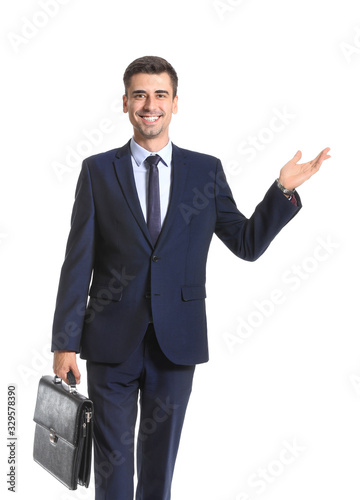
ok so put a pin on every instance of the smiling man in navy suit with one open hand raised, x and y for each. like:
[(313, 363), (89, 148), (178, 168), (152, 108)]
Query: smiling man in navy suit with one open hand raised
[(142, 222)]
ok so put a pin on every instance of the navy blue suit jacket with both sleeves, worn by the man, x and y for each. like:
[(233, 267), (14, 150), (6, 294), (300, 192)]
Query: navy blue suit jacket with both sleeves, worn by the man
[(110, 257)]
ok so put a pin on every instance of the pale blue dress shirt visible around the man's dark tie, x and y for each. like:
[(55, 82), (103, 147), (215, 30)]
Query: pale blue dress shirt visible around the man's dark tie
[(141, 175)]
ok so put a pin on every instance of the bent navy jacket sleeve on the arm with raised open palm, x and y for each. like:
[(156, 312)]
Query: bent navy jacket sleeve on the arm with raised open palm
[(249, 238)]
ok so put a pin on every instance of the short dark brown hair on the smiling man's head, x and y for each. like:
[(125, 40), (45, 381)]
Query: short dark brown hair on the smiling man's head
[(151, 65)]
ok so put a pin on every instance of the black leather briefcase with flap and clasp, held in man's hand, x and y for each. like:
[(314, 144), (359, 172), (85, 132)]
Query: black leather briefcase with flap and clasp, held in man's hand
[(63, 432)]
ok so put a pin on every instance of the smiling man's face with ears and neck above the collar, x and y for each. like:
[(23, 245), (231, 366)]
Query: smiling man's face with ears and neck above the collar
[(150, 104)]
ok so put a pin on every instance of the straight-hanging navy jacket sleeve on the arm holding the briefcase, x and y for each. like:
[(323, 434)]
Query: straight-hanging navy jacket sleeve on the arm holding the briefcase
[(76, 270)]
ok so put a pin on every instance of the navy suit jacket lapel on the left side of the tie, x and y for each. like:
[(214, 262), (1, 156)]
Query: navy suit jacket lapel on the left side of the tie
[(124, 172)]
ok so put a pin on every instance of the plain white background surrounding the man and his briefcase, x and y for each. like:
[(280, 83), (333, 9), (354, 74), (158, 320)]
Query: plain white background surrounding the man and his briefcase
[(295, 379)]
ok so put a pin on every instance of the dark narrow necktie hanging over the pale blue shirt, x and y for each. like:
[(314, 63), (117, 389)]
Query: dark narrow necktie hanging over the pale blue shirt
[(153, 204)]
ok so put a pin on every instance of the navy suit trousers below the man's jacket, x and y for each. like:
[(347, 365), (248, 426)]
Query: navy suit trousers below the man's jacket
[(163, 390)]
